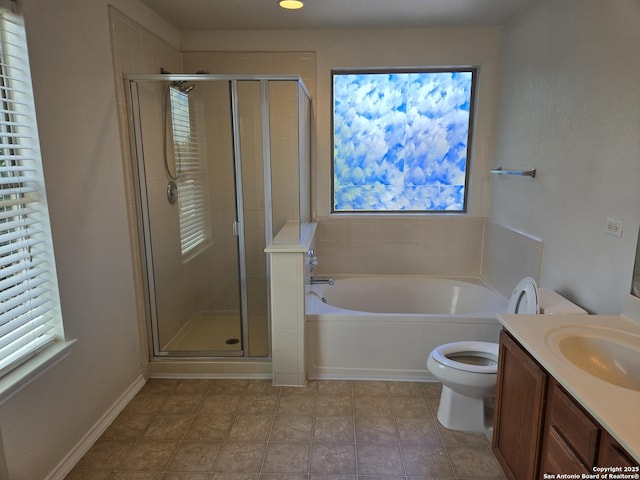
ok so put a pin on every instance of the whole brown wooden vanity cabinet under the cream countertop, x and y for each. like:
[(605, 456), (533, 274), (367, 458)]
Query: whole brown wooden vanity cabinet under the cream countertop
[(539, 428)]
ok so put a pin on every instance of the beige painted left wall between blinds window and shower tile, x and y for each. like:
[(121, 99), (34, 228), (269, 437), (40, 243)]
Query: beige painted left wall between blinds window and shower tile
[(76, 107)]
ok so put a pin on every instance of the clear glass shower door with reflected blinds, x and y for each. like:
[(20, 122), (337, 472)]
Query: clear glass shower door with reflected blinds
[(186, 169)]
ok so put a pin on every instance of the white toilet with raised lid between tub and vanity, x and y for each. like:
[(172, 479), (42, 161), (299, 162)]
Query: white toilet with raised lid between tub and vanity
[(468, 370)]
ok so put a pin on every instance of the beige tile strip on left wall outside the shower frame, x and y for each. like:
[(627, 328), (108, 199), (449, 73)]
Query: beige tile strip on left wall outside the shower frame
[(136, 50)]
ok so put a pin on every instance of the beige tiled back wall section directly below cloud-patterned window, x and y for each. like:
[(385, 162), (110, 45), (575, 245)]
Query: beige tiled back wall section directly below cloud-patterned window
[(450, 246)]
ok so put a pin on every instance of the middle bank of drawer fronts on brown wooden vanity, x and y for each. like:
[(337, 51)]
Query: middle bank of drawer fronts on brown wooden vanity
[(570, 438)]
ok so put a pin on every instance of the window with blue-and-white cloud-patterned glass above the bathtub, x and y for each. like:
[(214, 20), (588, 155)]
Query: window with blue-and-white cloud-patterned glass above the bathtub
[(401, 140)]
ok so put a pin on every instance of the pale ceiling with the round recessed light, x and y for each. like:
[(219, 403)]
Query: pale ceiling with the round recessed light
[(265, 14)]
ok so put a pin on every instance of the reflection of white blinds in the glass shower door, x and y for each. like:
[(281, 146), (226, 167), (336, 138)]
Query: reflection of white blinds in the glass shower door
[(188, 144)]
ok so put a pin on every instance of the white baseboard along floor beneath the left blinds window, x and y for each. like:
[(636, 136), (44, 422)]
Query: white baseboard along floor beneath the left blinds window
[(74, 456)]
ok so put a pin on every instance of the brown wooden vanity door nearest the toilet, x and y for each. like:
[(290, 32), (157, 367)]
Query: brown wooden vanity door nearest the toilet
[(518, 421)]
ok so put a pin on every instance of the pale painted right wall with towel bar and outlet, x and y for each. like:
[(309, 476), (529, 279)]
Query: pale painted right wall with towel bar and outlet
[(569, 97)]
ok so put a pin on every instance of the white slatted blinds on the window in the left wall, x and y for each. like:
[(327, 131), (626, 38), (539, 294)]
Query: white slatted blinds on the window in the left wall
[(30, 318)]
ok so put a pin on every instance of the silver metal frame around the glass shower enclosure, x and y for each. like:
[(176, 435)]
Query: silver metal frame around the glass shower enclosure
[(137, 150)]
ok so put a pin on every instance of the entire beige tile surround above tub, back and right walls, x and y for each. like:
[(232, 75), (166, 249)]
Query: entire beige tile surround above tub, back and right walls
[(439, 245)]
